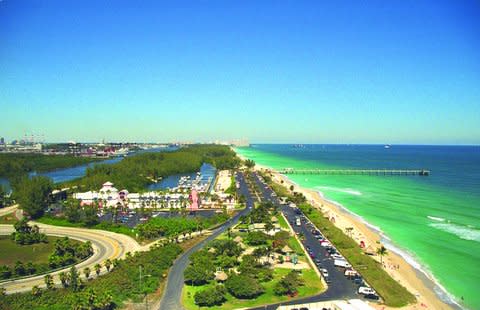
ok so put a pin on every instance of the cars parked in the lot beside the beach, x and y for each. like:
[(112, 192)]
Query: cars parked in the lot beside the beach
[(340, 262)]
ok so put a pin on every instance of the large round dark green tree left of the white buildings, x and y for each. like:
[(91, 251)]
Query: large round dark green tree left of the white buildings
[(33, 195)]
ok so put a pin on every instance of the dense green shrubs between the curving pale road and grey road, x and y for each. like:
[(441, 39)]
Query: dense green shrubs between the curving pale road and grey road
[(106, 292)]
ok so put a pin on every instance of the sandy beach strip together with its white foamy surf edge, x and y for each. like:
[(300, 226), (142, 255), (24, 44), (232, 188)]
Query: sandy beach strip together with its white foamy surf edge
[(404, 270)]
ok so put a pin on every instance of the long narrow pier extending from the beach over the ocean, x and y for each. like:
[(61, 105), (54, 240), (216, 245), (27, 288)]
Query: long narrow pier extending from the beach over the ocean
[(421, 172)]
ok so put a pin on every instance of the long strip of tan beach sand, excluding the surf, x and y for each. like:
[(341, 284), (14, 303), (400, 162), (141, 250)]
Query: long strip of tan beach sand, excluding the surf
[(400, 270)]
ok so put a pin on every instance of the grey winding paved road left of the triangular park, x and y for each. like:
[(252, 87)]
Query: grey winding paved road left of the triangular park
[(171, 299)]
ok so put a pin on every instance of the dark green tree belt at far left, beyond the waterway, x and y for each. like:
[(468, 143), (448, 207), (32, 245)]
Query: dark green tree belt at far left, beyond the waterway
[(14, 165)]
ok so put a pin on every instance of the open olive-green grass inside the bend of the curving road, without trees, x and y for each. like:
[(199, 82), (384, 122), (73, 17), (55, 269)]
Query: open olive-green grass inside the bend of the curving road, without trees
[(35, 253)]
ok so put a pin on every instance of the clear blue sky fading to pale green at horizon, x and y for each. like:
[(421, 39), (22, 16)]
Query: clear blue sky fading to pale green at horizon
[(270, 71)]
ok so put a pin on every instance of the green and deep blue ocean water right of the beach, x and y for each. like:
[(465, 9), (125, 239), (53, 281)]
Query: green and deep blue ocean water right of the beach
[(433, 221)]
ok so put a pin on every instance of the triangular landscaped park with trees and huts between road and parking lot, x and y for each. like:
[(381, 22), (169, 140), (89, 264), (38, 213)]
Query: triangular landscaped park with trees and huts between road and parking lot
[(246, 267)]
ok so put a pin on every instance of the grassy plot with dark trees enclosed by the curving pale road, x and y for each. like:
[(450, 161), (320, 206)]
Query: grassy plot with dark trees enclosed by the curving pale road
[(20, 260)]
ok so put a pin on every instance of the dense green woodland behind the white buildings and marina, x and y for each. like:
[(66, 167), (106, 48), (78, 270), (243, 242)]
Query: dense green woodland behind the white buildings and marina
[(136, 172)]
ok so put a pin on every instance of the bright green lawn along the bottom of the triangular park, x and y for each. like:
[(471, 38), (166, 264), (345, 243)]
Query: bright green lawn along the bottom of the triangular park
[(312, 286)]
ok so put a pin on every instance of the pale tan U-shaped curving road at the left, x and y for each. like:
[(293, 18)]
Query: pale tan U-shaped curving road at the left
[(106, 245)]
